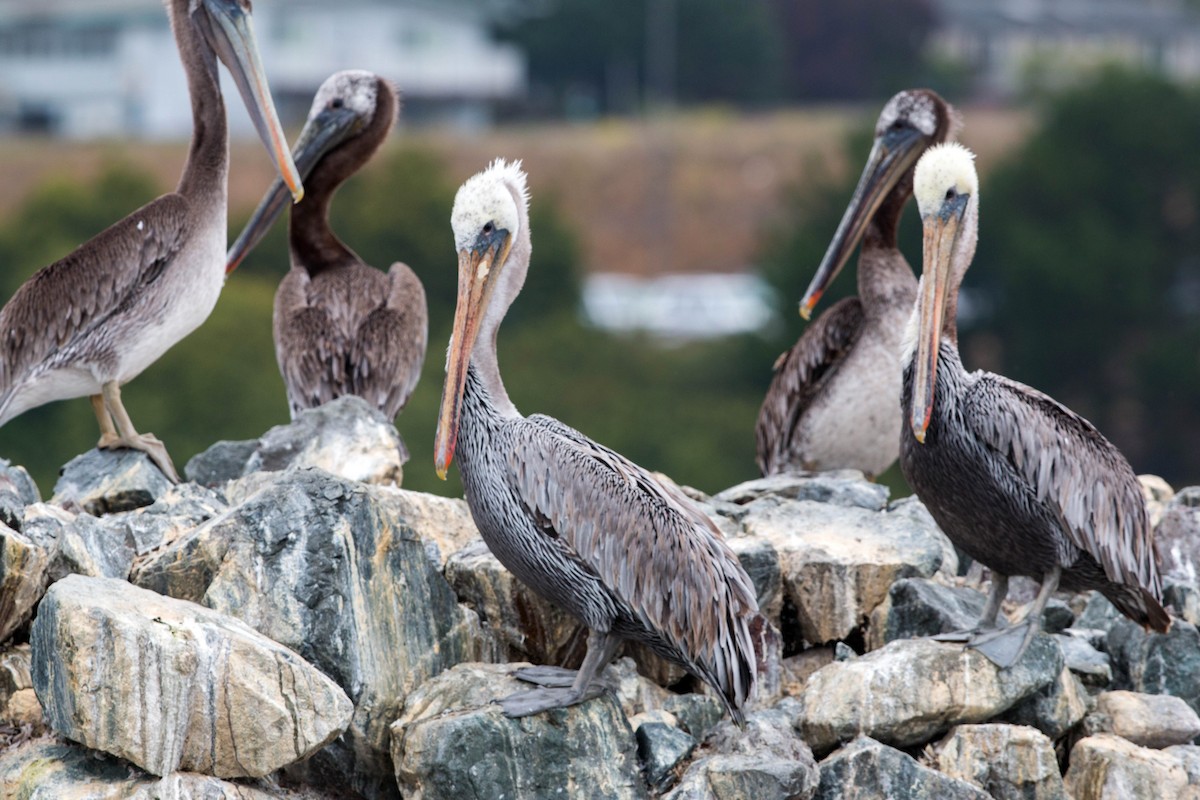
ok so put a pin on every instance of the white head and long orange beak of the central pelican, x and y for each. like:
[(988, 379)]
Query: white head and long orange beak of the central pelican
[(490, 215)]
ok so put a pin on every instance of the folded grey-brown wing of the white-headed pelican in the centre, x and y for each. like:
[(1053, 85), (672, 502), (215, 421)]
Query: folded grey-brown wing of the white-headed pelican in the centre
[(646, 543)]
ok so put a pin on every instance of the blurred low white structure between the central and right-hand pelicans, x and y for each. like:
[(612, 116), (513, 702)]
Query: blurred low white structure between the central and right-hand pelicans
[(680, 306)]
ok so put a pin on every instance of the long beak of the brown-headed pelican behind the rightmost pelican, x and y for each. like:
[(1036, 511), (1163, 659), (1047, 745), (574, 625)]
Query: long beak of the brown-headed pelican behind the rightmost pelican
[(892, 157)]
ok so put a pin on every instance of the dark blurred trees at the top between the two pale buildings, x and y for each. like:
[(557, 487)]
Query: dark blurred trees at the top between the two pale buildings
[(589, 58)]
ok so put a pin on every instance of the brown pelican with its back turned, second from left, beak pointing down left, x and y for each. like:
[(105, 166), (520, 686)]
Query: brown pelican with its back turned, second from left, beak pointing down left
[(341, 327)]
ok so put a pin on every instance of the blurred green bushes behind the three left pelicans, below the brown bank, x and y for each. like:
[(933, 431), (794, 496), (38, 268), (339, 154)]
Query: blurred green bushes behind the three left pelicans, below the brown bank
[(687, 411)]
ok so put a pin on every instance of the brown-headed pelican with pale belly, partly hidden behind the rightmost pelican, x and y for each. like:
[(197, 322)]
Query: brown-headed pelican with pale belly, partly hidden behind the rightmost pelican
[(832, 404)]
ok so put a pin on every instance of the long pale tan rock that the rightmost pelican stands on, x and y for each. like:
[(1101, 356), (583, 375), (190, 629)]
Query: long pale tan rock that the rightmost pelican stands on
[(913, 690)]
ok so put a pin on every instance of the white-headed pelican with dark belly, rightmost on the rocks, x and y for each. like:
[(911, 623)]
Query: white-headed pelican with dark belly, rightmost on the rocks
[(1017, 480)]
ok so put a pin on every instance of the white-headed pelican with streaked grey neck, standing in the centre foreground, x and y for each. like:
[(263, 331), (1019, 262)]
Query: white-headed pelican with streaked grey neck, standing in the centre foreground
[(579, 524)]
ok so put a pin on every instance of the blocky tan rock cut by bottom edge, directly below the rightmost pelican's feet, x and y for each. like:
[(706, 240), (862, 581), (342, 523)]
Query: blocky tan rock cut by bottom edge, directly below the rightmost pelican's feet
[(1006, 761)]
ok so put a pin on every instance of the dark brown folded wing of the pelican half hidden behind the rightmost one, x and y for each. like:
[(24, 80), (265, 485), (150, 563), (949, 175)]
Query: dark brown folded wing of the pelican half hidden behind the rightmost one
[(800, 376)]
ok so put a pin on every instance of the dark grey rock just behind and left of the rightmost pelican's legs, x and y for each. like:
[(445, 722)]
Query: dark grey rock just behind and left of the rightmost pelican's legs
[(919, 607)]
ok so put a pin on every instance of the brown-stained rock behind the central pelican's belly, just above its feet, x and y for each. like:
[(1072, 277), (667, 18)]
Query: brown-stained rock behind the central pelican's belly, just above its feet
[(527, 627)]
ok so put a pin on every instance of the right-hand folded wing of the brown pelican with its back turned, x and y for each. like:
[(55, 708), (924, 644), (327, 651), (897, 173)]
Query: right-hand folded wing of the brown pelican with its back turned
[(389, 348)]
